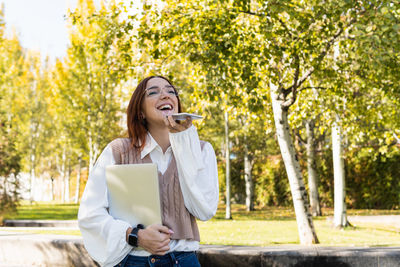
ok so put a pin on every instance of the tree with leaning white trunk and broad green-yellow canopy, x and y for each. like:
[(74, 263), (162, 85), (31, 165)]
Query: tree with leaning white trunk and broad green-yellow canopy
[(286, 42)]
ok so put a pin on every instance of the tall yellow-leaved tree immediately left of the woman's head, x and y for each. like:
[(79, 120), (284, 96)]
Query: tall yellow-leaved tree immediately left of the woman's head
[(90, 80)]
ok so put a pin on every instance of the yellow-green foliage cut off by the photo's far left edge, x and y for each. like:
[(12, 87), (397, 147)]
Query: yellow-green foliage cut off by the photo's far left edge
[(10, 154)]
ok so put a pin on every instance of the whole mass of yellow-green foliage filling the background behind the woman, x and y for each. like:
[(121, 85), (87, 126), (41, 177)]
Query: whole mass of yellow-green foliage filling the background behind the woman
[(221, 55)]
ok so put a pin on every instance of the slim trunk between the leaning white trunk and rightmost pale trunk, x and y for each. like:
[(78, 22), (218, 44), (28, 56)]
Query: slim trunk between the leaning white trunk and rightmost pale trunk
[(311, 167)]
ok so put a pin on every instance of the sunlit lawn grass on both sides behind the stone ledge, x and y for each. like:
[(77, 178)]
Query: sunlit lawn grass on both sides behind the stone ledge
[(264, 227)]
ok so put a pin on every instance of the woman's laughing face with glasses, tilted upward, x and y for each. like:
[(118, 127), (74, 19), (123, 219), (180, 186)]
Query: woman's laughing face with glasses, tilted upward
[(160, 100)]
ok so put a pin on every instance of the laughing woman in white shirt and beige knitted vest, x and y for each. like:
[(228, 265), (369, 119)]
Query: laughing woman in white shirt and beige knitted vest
[(188, 164)]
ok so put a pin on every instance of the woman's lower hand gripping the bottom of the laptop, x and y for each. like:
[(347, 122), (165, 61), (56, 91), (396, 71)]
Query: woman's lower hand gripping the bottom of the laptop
[(155, 239)]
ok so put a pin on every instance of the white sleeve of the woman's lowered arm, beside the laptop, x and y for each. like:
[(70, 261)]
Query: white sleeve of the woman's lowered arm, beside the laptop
[(104, 237)]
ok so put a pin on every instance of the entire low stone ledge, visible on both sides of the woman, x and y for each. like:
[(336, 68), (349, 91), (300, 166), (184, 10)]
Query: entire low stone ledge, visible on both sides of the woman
[(19, 249)]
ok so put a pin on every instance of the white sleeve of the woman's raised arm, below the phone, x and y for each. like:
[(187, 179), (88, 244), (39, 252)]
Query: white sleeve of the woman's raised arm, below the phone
[(198, 173)]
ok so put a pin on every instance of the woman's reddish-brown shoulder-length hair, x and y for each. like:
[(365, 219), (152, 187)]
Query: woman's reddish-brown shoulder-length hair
[(137, 125)]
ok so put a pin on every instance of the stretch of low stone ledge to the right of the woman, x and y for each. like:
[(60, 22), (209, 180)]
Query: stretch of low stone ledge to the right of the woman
[(293, 256)]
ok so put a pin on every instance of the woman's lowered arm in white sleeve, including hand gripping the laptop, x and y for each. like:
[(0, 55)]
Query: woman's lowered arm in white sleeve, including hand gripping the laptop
[(105, 238)]
